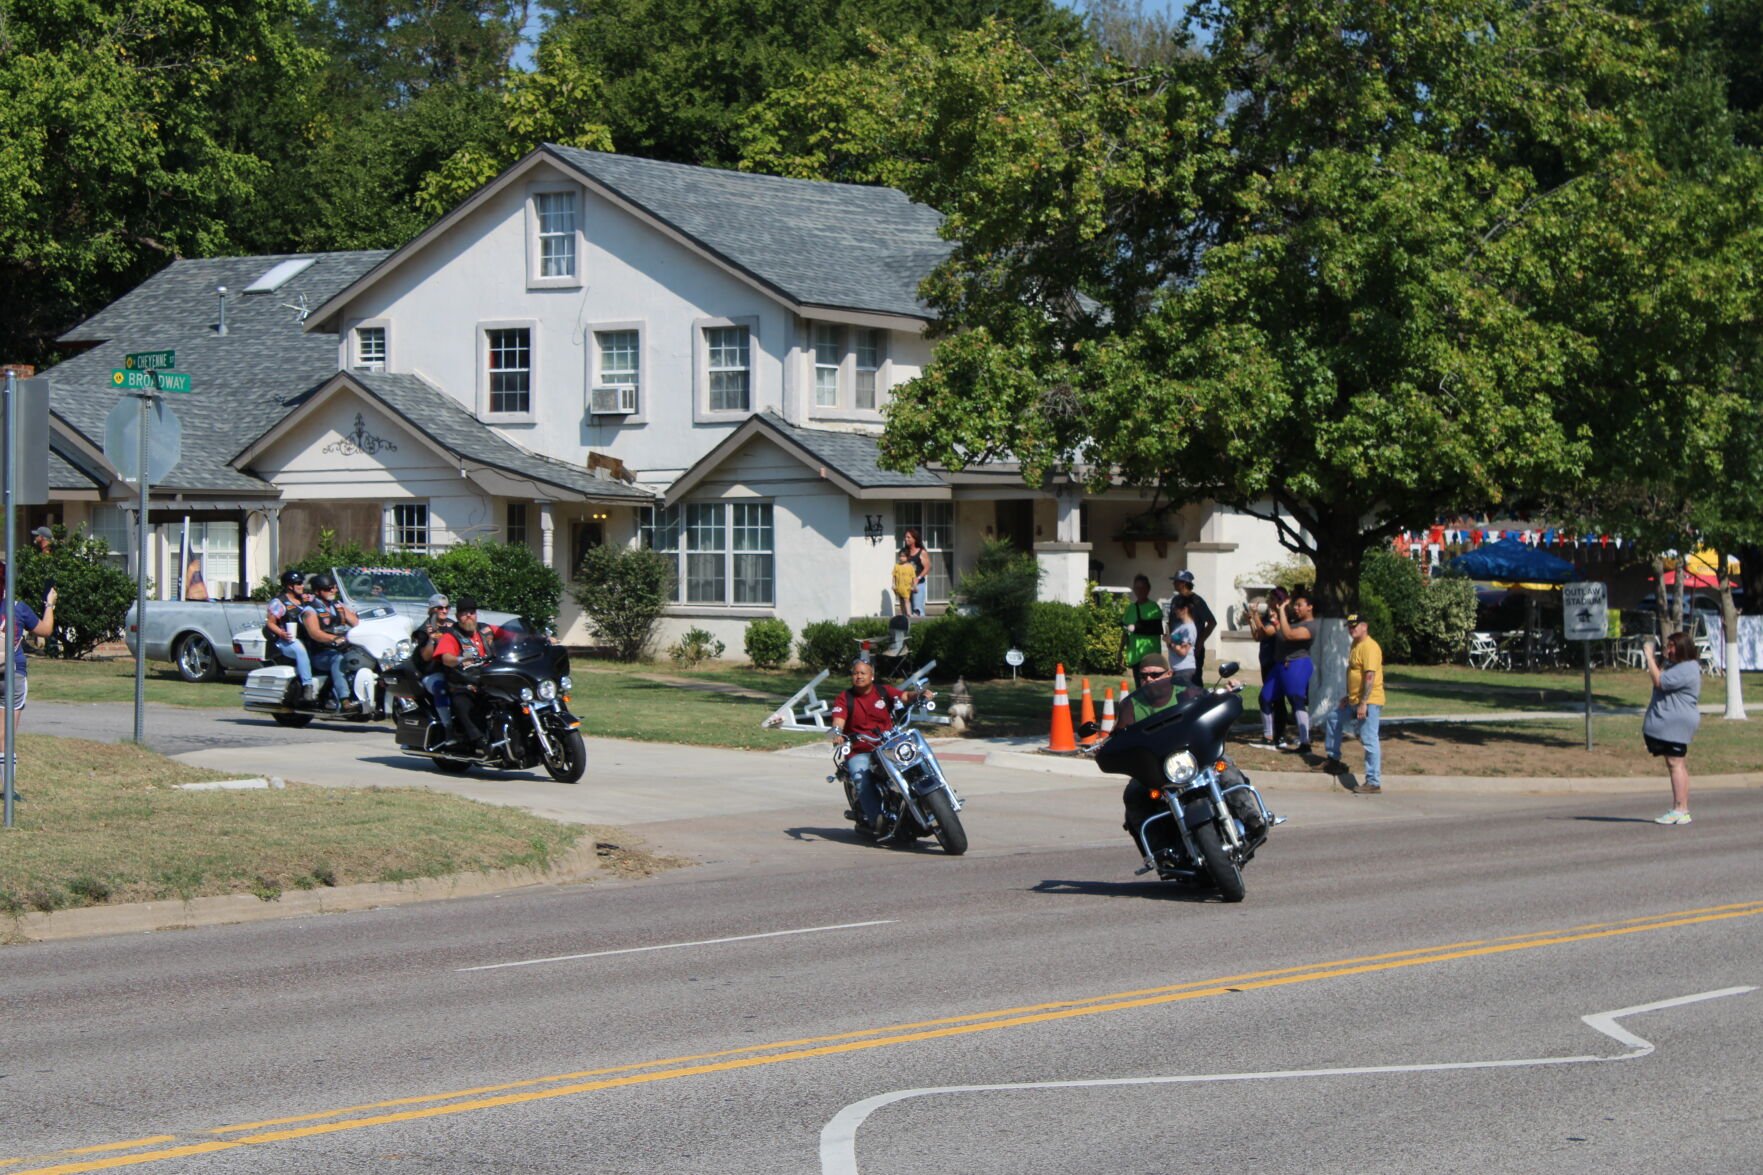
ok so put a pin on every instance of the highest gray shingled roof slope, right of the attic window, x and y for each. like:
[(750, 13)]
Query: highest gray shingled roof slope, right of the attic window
[(819, 244)]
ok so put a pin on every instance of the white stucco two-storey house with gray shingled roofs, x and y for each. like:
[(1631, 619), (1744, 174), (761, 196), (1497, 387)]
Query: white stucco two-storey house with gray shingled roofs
[(597, 348)]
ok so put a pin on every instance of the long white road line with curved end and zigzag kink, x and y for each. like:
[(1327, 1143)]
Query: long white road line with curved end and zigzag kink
[(838, 1139)]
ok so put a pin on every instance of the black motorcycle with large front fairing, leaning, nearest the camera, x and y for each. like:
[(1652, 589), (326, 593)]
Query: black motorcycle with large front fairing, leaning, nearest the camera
[(1212, 818)]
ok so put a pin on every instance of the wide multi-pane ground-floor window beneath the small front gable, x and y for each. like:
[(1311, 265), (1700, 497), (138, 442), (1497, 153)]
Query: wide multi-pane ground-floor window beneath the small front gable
[(724, 553)]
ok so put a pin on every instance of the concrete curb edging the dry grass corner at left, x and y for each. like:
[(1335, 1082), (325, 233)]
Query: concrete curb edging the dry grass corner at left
[(242, 908)]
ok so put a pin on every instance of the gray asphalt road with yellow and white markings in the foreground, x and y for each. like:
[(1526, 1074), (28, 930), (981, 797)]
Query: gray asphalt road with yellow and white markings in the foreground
[(1406, 989)]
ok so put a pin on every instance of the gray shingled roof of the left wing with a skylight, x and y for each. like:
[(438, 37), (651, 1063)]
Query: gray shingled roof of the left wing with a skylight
[(242, 382)]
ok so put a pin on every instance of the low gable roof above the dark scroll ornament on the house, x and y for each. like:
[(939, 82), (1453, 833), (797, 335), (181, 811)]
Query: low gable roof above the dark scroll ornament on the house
[(429, 412)]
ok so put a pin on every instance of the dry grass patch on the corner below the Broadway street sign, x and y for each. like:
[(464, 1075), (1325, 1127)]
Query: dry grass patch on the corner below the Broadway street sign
[(105, 823)]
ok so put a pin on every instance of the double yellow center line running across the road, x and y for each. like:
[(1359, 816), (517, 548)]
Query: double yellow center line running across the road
[(810, 1049)]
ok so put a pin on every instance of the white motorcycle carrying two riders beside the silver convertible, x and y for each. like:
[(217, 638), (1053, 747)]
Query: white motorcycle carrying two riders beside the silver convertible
[(382, 636)]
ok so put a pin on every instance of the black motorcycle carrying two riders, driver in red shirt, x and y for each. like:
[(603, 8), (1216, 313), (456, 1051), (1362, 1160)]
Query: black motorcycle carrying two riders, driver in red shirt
[(523, 707)]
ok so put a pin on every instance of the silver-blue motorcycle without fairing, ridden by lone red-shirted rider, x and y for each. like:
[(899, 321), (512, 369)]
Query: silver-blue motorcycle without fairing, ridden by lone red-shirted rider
[(916, 795)]
